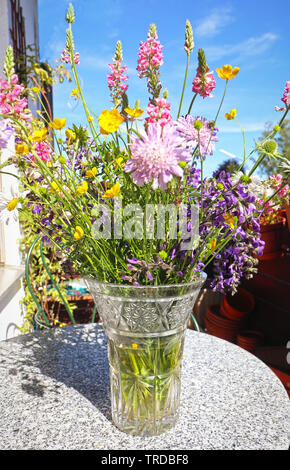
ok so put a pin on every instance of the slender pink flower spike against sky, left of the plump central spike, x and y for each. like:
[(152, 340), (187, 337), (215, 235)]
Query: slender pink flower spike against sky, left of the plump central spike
[(117, 76)]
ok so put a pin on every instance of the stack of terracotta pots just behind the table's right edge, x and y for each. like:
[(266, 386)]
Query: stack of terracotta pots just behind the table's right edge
[(227, 320)]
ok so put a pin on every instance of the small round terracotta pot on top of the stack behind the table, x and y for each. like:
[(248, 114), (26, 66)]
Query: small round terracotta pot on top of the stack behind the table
[(238, 306)]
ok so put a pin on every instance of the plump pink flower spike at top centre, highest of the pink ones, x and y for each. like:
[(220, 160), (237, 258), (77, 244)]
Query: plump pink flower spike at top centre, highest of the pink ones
[(149, 56)]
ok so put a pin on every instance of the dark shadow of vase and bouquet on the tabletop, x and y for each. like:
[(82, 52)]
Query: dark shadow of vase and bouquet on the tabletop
[(75, 356)]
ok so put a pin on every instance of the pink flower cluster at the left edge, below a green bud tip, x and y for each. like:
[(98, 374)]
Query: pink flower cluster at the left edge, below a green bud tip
[(11, 101)]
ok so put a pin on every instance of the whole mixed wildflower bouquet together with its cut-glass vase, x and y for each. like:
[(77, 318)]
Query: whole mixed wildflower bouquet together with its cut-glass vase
[(126, 200)]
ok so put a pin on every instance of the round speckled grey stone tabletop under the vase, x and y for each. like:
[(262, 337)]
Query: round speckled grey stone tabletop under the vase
[(55, 395)]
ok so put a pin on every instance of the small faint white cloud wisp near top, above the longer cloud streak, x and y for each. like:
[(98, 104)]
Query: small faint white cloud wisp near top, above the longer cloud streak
[(214, 23)]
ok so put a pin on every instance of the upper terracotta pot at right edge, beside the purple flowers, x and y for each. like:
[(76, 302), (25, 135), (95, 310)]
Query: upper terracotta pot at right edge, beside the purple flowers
[(271, 234)]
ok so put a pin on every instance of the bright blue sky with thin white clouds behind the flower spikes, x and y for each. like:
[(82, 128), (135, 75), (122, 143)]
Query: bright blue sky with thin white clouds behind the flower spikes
[(251, 34)]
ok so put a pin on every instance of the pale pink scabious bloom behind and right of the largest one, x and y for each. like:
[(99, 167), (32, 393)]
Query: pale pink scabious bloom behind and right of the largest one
[(203, 139)]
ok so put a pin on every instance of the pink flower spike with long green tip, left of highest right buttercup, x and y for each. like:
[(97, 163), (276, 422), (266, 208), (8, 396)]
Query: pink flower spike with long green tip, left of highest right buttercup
[(204, 81)]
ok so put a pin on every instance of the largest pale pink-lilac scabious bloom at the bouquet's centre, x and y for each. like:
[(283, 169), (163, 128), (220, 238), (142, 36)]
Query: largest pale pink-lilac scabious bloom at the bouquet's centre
[(155, 156)]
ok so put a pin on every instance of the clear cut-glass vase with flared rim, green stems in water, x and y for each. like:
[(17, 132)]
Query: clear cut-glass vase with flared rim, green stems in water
[(145, 329)]
